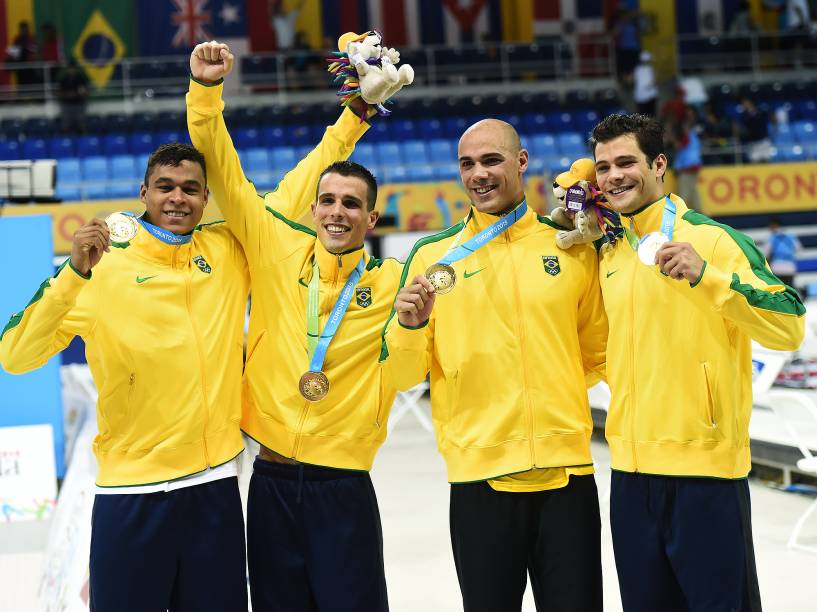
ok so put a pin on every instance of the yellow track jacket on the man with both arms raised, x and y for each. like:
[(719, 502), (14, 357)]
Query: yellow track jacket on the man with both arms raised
[(345, 429)]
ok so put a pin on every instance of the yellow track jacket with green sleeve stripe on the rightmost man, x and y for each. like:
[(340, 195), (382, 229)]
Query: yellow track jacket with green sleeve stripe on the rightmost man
[(679, 357)]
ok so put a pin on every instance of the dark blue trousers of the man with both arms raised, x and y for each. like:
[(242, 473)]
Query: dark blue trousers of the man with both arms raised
[(314, 540)]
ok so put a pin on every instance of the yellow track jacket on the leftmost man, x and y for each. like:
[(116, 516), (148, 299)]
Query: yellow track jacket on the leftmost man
[(163, 331)]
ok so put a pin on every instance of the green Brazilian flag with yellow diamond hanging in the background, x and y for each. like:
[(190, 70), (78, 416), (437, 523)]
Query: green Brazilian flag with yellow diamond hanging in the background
[(96, 33)]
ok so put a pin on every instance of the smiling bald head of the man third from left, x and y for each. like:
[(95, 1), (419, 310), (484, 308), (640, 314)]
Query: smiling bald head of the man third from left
[(491, 165)]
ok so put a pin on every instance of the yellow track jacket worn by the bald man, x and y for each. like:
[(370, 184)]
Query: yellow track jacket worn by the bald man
[(509, 350)]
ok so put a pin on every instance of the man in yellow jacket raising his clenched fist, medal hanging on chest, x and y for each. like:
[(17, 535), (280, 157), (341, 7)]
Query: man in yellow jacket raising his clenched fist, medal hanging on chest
[(316, 396)]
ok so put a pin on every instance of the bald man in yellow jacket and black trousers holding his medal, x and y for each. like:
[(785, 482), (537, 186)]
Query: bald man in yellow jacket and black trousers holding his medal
[(510, 346)]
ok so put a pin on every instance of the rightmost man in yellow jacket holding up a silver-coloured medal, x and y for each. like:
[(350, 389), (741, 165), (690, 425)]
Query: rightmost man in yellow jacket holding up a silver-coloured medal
[(685, 296)]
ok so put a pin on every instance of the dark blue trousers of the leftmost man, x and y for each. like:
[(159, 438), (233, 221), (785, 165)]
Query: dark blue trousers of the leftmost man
[(181, 551)]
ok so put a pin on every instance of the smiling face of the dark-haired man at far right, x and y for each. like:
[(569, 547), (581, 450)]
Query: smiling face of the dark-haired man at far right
[(624, 175)]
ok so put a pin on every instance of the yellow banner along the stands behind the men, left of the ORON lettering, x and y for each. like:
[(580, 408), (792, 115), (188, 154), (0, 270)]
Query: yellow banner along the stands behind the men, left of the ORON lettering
[(412, 206)]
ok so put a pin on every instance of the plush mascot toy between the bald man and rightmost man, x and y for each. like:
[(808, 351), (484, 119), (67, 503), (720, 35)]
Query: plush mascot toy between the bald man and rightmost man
[(583, 207)]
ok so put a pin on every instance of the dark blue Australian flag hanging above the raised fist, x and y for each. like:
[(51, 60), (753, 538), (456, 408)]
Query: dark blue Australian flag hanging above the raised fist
[(174, 27)]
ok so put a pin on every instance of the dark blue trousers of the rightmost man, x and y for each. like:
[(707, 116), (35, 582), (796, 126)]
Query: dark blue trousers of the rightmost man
[(683, 543)]
